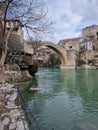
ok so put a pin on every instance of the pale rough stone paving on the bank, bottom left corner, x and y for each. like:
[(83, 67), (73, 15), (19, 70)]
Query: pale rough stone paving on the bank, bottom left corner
[(11, 115)]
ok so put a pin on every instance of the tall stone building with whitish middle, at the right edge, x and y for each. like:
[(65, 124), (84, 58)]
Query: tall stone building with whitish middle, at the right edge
[(88, 44)]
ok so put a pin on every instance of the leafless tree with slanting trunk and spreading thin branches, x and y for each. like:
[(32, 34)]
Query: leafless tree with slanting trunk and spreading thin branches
[(30, 13)]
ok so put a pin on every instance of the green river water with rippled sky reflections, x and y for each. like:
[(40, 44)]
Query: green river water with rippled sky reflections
[(67, 99)]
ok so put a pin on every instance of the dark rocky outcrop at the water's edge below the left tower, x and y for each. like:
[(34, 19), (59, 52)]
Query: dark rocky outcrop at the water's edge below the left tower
[(20, 65)]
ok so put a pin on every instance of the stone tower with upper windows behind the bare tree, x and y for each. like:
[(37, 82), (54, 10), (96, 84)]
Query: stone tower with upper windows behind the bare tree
[(16, 40)]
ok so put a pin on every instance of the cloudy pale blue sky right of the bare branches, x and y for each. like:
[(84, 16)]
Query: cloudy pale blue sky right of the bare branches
[(69, 17)]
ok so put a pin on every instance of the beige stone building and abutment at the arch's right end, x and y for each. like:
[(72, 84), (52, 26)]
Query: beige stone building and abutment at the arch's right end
[(72, 48)]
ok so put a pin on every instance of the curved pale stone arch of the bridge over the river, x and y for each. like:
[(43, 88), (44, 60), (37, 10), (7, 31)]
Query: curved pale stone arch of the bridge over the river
[(59, 50)]
